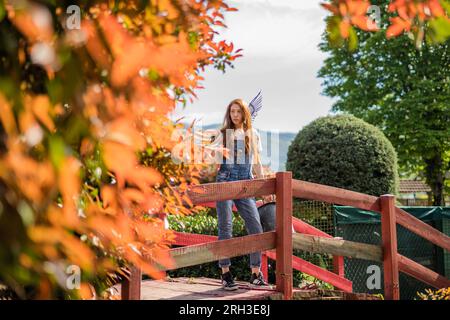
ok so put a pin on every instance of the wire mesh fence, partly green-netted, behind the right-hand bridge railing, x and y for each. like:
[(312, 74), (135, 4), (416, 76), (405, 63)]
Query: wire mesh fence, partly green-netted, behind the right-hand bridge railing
[(366, 228)]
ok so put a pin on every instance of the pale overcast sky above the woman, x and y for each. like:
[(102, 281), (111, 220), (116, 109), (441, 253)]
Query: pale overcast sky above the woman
[(280, 41)]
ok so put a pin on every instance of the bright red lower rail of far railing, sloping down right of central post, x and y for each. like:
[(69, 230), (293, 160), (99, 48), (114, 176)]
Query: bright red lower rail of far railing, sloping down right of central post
[(317, 272)]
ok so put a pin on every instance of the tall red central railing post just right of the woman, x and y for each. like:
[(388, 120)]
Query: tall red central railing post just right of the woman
[(284, 234)]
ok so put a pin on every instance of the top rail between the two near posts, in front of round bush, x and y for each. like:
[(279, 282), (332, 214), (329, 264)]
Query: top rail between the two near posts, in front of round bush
[(314, 191)]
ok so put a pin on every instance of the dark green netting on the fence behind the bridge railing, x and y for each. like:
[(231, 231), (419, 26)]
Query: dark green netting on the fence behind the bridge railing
[(365, 226)]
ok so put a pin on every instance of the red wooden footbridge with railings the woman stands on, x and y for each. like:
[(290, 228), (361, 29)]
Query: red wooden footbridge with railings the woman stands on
[(278, 244)]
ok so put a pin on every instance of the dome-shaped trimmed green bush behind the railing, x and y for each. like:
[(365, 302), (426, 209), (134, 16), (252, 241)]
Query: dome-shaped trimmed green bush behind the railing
[(345, 152)]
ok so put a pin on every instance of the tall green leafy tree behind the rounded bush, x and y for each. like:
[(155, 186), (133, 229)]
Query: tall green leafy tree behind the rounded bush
[(400, 89)]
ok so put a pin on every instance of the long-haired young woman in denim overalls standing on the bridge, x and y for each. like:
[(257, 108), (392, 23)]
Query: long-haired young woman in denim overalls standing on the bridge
[(244, 144)]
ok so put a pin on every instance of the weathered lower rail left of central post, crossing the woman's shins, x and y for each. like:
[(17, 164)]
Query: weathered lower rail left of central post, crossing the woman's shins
[(207, 252)]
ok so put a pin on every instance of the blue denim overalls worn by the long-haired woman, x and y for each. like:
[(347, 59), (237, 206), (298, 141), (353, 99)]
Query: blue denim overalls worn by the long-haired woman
[(240, 169)]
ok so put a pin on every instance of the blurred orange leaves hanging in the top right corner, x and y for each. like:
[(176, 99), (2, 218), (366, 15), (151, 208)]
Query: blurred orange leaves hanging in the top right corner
[(422, 20)]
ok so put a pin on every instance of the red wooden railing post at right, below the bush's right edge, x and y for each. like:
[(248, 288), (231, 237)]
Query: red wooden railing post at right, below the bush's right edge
[(389, 243)]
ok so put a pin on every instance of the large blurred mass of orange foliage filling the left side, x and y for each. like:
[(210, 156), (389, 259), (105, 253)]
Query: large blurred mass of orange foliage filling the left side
[(85, 138)]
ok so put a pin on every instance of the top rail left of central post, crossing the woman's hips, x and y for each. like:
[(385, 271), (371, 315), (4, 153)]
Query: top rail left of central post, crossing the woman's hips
[(220, 191)]
